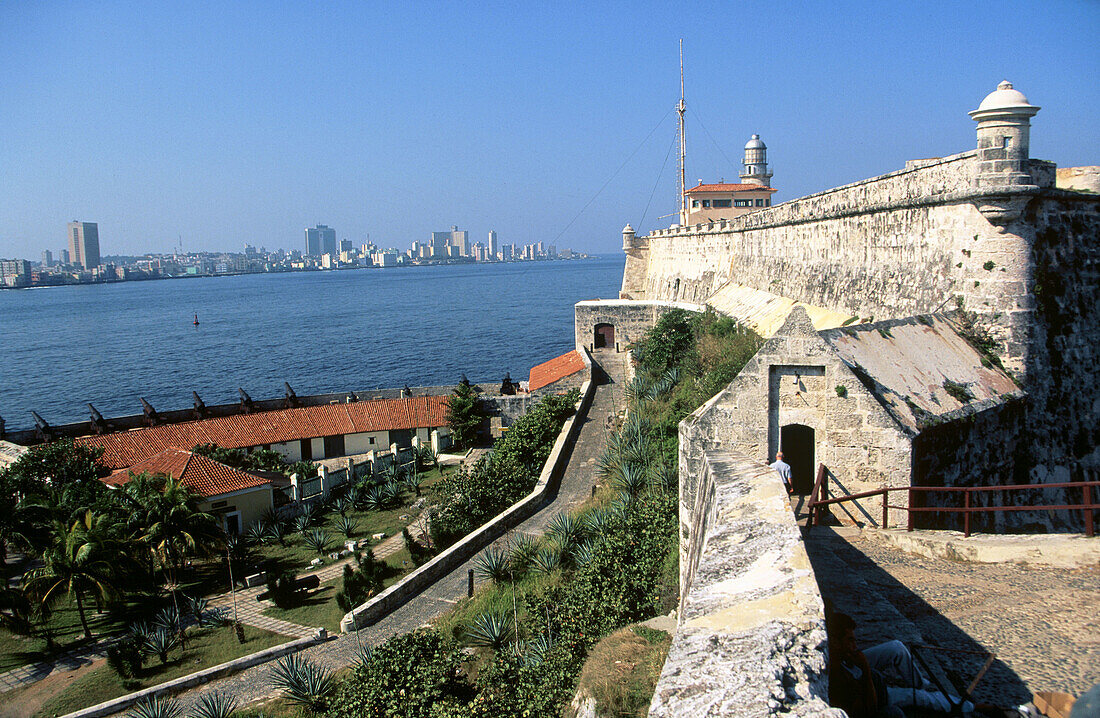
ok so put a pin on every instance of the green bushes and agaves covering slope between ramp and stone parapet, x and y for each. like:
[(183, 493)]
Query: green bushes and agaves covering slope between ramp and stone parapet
[(553, 600)]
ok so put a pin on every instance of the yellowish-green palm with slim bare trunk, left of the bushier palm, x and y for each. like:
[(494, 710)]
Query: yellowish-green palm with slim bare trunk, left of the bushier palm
[(81, 561)]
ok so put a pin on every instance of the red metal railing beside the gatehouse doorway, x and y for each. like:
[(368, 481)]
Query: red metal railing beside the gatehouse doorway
[(820, 499)]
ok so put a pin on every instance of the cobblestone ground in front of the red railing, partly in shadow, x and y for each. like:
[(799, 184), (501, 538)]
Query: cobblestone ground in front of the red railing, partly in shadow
[(1043, 624)]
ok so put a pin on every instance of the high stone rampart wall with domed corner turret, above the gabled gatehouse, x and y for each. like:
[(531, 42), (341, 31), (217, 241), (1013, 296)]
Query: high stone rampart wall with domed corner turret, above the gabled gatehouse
[(987, 231)]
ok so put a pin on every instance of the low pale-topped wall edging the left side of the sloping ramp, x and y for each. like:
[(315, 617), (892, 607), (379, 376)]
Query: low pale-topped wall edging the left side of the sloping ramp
[(469, 547)]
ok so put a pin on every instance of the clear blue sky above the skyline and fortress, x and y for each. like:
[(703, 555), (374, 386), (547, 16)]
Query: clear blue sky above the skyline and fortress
[(244, 123)]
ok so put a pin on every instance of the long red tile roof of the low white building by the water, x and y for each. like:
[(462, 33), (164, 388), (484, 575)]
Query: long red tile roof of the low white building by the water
[(127, 448)]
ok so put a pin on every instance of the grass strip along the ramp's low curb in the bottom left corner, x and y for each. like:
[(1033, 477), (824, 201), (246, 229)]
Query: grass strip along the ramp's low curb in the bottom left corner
[(206, 648)]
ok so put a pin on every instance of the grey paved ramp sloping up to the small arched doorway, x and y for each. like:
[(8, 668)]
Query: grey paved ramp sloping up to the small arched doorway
[(254, 684)]
